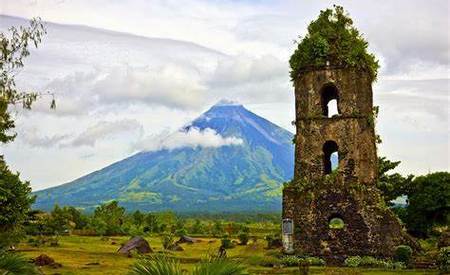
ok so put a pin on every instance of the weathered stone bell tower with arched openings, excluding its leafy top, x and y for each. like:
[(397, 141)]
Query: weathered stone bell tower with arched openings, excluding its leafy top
[(332, 208)]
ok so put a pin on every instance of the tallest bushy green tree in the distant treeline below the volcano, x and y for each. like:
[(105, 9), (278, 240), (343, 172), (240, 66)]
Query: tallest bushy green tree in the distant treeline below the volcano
[(108, 219)]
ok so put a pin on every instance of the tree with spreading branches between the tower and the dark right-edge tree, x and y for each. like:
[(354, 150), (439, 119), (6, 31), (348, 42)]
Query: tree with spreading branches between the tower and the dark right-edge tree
[(392, 185)]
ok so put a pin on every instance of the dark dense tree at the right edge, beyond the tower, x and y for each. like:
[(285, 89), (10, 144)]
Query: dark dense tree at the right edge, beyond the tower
[(428, 203)]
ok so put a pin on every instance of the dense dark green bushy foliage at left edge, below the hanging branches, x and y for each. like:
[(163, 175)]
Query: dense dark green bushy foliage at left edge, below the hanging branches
[(15, 202)]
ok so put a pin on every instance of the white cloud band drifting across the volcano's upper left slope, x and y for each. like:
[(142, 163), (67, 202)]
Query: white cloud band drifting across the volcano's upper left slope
[(193, 137)]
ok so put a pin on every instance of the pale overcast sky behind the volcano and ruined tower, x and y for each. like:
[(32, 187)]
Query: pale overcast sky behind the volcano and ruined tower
[(126, 73)]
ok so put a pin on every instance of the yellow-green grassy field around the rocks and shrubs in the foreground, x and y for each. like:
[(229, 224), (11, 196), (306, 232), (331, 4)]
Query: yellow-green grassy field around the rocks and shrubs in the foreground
[(96, 255)]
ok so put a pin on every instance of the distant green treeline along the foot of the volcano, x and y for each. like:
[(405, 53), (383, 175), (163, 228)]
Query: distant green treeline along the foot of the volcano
[(112, 219)]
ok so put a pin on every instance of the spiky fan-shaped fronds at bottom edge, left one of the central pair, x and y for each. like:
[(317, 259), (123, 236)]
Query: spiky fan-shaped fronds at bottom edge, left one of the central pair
[(156, 265)]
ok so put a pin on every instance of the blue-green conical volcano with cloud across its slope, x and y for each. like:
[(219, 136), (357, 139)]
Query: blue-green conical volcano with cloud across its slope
[(234, 177)]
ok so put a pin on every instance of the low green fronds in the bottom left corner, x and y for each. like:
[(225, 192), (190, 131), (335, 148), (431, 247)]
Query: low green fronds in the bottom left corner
[(15, 264)]
